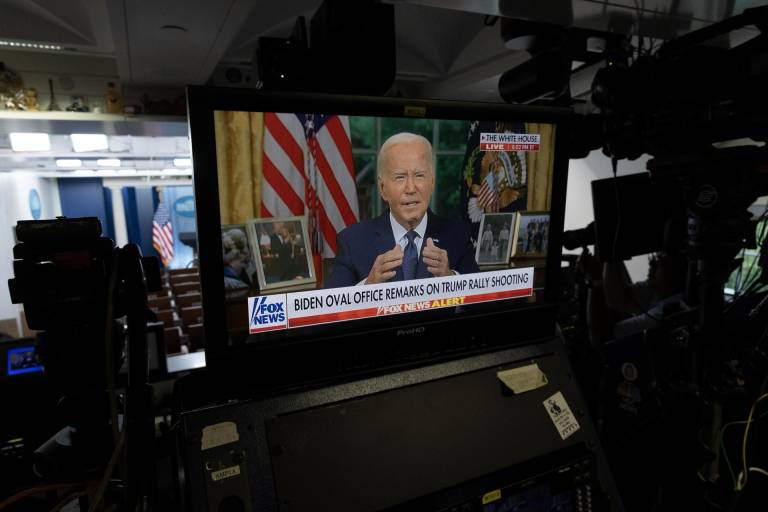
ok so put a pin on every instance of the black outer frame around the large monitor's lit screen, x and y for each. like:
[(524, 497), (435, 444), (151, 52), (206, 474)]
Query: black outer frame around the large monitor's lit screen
[(231, 362)]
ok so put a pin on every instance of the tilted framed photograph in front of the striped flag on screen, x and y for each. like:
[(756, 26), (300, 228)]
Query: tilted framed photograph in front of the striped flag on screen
[(283, 255)]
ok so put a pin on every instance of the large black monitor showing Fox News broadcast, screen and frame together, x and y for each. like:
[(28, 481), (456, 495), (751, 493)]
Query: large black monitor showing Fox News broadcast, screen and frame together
[(278, 176)]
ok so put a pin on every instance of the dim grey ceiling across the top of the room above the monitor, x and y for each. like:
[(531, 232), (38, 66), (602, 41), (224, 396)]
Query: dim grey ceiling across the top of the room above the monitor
[(442, 45)]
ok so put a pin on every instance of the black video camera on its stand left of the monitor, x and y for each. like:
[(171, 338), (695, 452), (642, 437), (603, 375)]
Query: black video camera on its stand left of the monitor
[(88, 298)]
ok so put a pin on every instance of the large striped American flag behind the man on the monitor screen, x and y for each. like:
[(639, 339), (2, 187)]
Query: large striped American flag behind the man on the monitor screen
[(308, 168)]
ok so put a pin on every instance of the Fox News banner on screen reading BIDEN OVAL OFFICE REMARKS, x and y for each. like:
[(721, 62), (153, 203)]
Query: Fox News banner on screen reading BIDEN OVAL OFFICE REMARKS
[(316, 307)]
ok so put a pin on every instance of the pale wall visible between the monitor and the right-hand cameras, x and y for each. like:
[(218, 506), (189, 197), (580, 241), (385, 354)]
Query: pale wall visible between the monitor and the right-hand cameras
[(578, 202)]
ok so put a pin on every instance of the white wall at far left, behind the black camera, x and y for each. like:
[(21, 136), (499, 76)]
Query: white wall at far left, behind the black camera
[(14, 206)]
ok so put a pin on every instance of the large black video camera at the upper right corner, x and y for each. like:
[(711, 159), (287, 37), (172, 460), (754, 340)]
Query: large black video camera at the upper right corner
[(689, 94)]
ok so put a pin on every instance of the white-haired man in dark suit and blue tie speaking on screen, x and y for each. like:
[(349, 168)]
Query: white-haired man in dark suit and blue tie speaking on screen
[(408, 241)]
